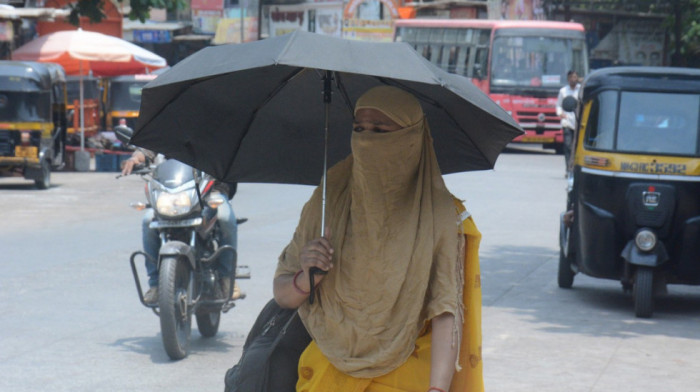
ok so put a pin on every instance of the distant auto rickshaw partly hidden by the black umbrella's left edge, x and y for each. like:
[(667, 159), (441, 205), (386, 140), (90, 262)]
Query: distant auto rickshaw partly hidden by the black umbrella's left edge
[(124, 99)]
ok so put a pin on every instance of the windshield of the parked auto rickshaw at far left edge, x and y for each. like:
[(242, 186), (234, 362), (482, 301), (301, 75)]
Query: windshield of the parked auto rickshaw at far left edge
[(25, 106)]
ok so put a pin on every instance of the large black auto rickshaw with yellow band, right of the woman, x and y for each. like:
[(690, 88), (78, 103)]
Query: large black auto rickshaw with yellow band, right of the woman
[(634, 204)]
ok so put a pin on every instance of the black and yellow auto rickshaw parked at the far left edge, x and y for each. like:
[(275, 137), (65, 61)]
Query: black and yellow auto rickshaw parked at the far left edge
[(32, 119)]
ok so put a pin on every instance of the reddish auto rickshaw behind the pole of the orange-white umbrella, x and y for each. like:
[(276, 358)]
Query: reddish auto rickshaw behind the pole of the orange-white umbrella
[(92, 107)]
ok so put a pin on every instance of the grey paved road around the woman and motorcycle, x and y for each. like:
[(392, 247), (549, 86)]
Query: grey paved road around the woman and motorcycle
[(70, 319)]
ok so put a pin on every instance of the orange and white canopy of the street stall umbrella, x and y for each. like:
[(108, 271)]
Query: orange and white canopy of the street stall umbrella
[(84, 52)]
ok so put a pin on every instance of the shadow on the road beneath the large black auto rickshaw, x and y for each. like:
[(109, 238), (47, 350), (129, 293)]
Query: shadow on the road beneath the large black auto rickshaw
[(524, 280)]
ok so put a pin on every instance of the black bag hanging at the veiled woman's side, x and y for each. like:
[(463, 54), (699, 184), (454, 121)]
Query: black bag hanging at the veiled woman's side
[(270, 354)]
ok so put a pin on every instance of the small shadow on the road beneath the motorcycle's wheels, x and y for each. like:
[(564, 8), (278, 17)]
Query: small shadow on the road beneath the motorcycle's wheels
[(153, 346)]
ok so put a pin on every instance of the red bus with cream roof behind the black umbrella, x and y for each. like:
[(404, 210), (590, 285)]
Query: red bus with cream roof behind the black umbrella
[(521, 65)]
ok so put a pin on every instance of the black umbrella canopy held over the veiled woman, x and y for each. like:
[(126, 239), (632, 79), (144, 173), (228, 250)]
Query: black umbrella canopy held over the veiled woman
[(255, 112)]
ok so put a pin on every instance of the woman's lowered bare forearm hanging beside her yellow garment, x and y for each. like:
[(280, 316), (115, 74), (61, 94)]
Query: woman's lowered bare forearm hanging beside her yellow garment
[(443, 352)]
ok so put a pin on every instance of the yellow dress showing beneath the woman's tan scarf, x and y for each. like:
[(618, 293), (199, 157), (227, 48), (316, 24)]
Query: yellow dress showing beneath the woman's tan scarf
[(316, 374)]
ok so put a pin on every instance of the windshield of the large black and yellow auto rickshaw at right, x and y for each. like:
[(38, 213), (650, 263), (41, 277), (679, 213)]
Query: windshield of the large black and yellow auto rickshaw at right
[(644, 122)]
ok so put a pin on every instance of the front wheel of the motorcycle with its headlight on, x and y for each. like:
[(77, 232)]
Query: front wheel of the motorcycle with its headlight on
[(175, 315)]
